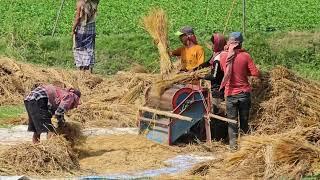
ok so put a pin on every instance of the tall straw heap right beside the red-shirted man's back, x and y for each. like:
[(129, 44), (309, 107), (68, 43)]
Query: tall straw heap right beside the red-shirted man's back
[(288, 101)]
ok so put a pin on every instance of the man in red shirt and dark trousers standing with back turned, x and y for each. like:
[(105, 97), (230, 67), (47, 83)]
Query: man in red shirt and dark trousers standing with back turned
[(237, 65)]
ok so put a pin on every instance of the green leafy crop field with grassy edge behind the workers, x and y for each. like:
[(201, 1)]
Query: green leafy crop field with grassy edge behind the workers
[(26, 28)]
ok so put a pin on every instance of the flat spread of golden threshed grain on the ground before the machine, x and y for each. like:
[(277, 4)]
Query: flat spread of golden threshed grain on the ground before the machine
[(123, 153)]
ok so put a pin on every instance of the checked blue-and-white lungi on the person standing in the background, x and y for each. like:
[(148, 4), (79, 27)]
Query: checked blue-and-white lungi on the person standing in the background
[(84, 54)]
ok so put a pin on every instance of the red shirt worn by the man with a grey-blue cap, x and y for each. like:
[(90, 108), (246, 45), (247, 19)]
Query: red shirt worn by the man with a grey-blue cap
[(243, 67)]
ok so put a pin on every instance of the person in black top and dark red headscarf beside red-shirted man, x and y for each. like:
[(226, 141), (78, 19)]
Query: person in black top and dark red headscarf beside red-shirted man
[(216, 74)]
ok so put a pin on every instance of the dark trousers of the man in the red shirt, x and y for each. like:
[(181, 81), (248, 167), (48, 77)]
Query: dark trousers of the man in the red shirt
[(238, 106)]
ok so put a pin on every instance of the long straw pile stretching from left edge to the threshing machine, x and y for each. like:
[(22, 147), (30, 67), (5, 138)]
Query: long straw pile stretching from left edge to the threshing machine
[(105, 101)]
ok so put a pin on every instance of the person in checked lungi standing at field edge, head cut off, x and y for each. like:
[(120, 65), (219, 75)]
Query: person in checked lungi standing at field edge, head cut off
[(84, 34)]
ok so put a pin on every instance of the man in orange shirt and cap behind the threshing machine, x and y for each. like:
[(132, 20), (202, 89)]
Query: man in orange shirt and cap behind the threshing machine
[(192, 55)]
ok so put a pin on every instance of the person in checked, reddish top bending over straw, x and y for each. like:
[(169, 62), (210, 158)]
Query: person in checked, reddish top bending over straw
[(44, 101)]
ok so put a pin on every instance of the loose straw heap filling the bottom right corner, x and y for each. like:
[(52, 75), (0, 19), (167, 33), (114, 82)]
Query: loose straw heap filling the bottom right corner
[(290, 155)]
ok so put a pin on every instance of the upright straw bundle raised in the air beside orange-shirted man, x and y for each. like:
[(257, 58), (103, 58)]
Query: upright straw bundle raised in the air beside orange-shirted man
[(156, 24)]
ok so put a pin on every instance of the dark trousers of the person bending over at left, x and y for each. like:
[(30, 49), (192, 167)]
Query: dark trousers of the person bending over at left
[(39, 116)]
